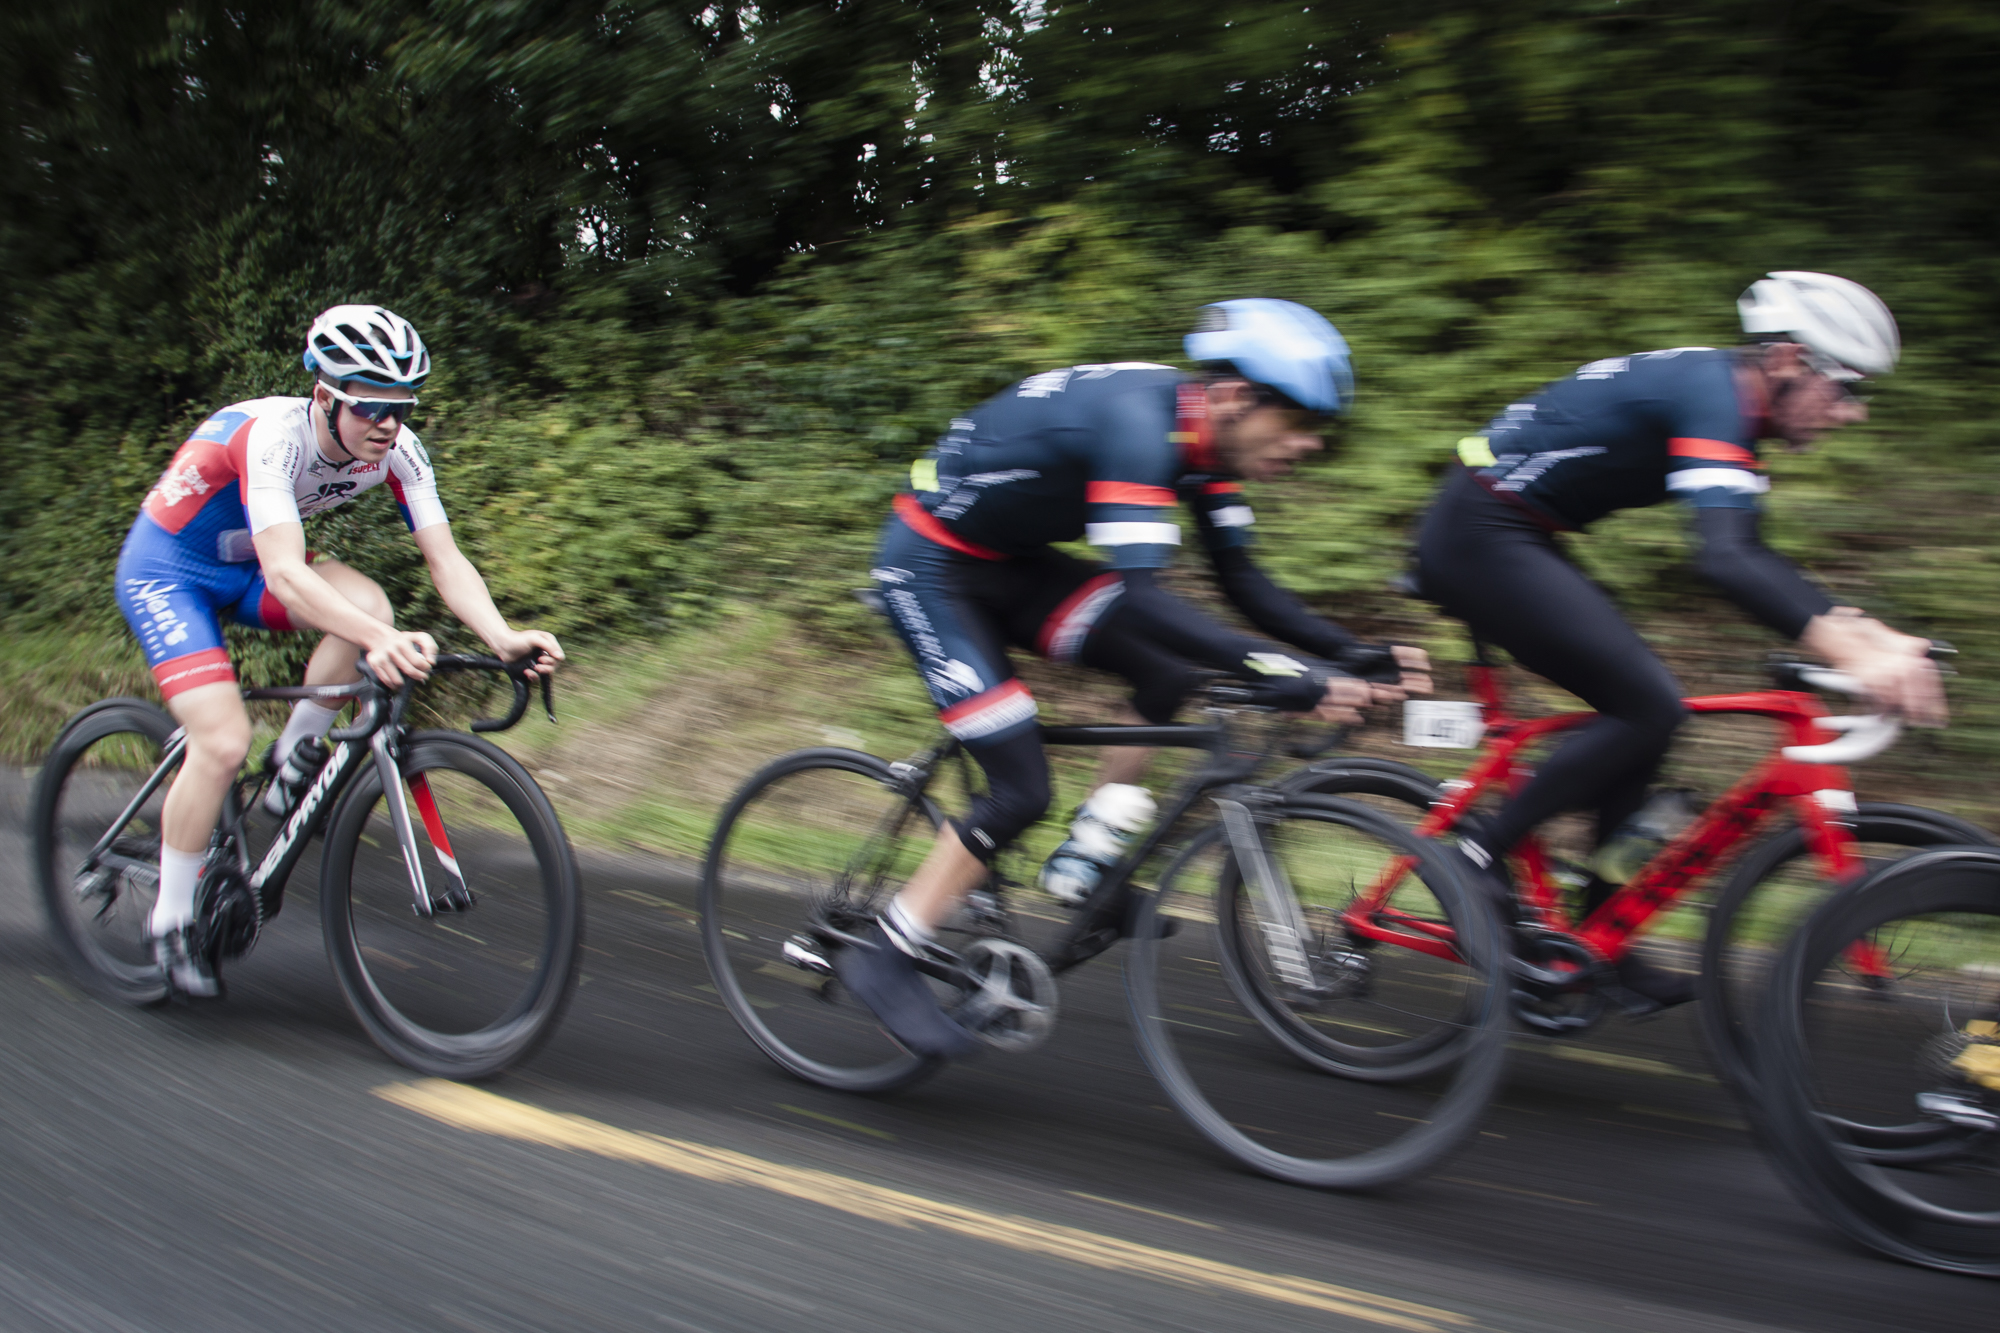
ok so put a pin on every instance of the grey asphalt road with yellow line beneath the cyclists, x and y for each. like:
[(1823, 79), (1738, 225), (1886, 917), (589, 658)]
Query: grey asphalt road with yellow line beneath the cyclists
[(261, 1166)]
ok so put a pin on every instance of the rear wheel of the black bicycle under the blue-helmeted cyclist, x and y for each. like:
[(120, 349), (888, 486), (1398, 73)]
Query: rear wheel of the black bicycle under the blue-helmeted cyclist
[(783, 852)]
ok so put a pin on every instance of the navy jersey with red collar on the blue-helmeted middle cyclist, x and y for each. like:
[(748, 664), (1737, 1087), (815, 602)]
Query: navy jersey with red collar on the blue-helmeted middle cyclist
[(1097, 453)]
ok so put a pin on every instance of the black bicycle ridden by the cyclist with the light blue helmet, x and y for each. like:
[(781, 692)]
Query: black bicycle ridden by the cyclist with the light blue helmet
[(1243, 988)]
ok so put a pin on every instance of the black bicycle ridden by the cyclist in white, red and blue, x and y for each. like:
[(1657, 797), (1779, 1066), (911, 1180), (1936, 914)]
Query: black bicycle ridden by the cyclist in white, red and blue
[(457, 970)]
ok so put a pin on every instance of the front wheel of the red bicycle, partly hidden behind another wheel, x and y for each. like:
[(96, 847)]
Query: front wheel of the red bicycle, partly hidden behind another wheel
[(1731, 976)]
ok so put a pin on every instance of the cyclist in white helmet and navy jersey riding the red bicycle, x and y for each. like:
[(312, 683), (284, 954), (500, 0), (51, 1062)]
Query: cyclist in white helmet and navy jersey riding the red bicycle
[(1633, 431)]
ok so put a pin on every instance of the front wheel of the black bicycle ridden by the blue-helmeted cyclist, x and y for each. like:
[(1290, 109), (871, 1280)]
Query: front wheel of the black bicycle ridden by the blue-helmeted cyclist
[(1245, 1052)]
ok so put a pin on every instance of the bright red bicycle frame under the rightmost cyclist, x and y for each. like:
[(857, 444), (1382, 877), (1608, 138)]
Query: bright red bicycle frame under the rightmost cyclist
[(1819, 796)]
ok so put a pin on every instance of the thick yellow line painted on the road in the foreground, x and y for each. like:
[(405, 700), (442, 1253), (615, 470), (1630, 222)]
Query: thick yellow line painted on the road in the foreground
[(479, 1112)]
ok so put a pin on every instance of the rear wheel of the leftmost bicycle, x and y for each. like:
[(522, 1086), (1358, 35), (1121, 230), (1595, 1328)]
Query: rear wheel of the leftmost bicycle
[(71, 812)]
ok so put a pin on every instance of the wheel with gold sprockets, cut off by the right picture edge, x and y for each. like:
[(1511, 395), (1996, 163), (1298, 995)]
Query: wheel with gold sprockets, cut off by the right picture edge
[(1911, 1044)]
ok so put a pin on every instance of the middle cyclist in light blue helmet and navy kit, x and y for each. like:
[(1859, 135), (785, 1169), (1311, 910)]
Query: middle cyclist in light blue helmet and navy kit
[(967, 569)]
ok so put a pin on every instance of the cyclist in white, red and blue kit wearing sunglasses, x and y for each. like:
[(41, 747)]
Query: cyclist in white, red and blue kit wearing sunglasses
[(221, 539)]
